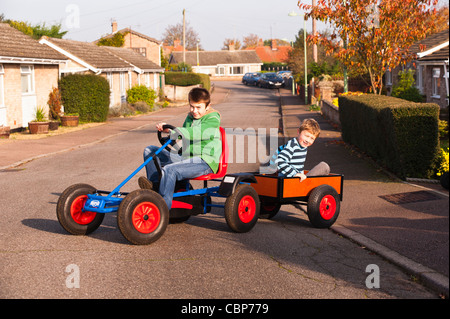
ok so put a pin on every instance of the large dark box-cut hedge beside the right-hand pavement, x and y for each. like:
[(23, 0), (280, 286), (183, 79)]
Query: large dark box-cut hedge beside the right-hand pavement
[(402, 135)]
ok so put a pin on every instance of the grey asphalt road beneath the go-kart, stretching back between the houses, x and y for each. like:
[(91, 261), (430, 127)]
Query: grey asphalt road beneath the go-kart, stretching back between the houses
[(200, 259)]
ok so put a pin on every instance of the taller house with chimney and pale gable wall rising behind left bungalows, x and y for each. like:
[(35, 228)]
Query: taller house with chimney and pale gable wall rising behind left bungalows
[(147, 46)]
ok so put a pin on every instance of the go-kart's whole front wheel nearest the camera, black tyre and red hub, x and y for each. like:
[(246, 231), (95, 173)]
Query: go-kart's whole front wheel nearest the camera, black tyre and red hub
[(142, 217)]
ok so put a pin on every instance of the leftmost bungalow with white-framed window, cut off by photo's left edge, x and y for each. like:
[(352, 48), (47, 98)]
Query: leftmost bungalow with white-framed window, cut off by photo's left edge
[(28, 73)]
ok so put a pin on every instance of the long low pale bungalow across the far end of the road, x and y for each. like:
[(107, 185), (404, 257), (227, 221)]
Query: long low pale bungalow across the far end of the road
[(224, 64)]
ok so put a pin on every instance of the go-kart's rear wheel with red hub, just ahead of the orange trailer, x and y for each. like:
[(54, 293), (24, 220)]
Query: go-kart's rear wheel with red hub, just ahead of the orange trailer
[(242, 209)]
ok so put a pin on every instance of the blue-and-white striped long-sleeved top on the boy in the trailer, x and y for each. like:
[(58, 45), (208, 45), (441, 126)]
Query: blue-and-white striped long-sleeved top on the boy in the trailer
[(291, 160)]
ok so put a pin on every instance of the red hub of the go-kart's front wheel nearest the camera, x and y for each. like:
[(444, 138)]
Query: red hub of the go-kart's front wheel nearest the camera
[(146, 217)]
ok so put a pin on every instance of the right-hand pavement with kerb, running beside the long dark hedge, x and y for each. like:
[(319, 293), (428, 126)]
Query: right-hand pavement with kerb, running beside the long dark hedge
[(413, 235)]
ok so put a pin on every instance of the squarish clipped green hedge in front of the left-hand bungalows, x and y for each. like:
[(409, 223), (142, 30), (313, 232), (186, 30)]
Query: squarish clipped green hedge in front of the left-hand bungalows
[(87, 95)]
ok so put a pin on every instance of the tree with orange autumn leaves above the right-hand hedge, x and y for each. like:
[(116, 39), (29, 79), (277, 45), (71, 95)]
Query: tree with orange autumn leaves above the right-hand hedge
[(378, 33)]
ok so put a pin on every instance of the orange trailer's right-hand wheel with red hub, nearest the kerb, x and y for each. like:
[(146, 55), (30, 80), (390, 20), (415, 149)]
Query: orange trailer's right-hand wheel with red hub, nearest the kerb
[(323, 206)]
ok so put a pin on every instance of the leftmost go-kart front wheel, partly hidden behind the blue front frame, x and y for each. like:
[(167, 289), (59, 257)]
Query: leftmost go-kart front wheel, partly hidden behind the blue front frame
[(70, 214)]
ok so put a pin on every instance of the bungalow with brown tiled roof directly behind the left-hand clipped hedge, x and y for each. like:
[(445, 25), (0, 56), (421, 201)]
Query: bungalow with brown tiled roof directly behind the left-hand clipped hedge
[(123, 68)]
